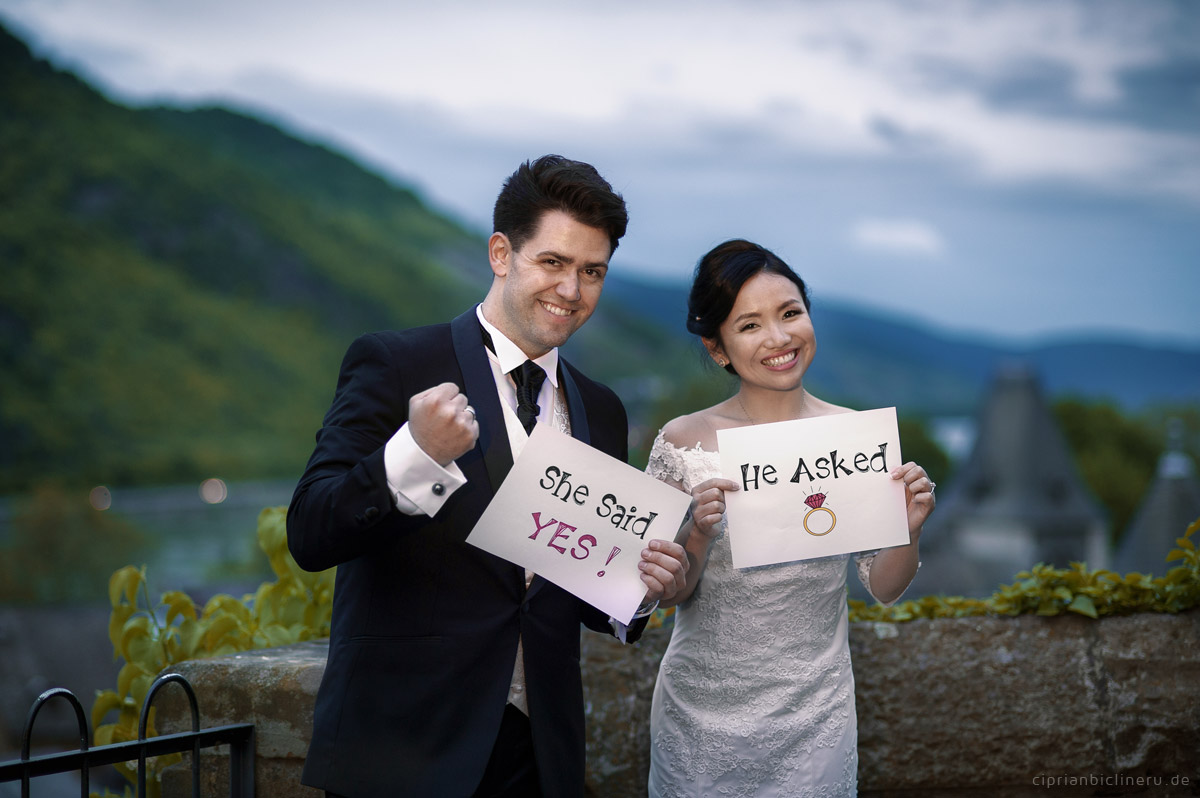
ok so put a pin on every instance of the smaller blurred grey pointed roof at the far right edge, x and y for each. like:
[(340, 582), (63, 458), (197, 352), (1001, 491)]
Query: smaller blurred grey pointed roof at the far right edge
[(1172, 505)]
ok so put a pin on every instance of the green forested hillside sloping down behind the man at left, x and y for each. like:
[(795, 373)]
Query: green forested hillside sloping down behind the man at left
[(179, 287)]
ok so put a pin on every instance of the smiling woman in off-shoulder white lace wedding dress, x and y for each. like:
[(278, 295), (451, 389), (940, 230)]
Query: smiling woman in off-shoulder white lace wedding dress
[(755, 695)]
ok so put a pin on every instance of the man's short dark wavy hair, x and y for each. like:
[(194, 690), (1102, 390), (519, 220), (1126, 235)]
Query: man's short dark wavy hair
[(554, 183)]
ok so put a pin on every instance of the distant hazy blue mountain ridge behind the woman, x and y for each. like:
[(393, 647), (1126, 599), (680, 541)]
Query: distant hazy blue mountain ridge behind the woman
[(873, 359)]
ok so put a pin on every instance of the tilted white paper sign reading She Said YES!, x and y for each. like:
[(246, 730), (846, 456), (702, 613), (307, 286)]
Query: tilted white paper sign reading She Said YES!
[(580, 519)]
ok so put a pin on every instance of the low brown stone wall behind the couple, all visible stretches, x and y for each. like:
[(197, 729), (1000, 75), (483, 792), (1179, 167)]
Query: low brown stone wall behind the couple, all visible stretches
[(953, 707)]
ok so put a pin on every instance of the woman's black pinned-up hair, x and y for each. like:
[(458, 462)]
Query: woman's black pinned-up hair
[(719, 279)]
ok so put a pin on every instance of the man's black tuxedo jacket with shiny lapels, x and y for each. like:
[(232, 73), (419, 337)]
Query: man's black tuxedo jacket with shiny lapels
[(425, 626)]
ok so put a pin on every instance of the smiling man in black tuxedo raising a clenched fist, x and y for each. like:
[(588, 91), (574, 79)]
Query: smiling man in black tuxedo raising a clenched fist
[(452, 671)]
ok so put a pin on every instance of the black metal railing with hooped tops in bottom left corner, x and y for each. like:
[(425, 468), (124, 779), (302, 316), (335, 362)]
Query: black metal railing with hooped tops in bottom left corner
[(239, 737)]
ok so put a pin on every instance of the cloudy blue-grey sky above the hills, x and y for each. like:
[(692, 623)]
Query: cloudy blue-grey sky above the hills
[(1023, 170)]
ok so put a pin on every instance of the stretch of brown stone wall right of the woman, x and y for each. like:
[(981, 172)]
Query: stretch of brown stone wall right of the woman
[(988, 703)]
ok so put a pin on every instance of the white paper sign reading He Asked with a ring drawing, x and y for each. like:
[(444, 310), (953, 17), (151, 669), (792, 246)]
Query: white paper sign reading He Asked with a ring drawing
[(814, 488)]
